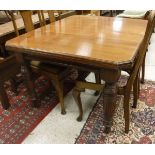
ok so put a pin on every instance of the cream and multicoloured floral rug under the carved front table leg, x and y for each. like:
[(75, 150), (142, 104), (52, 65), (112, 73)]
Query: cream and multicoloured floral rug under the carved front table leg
[(142, 126)]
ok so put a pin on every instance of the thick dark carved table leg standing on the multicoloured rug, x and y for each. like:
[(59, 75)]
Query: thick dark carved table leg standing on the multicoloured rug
[(109, 96)]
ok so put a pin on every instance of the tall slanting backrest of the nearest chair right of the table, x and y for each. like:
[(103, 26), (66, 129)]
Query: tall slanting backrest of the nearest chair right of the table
[(143, 47)]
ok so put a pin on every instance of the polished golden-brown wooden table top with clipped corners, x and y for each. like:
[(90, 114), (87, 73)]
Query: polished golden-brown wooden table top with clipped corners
[(88, 39)]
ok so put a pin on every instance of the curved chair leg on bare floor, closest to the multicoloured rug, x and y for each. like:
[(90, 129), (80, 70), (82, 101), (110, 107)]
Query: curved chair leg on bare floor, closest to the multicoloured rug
[(77, 98)]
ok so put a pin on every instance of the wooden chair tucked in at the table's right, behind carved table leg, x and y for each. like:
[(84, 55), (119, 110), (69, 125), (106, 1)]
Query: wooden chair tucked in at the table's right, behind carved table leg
[(133, 80)]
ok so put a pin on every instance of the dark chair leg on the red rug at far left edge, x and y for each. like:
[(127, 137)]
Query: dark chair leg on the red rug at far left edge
[(3, 97)]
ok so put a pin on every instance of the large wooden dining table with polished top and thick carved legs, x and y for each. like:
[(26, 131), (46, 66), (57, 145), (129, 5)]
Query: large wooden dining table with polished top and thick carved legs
[(107, 44)]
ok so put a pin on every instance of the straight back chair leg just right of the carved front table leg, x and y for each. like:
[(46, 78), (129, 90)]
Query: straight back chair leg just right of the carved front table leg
[(127, 111)]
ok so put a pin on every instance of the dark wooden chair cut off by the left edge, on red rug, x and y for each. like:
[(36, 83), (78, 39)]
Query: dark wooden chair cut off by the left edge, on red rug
[(9, 68)]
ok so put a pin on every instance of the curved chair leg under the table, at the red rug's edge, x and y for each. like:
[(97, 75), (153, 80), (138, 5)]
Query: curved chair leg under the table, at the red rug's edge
[(59, 88)]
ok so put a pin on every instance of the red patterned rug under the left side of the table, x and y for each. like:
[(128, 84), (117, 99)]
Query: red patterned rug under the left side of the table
[(21, 118)]
